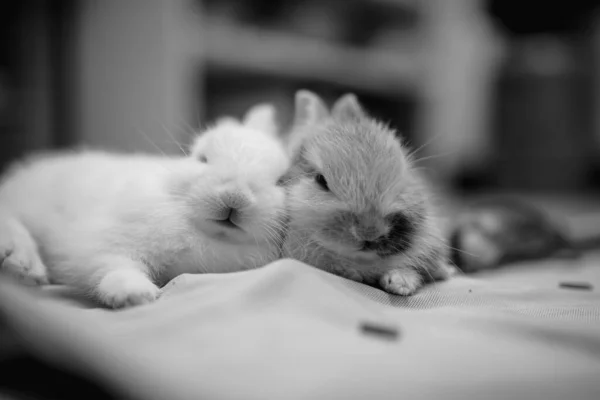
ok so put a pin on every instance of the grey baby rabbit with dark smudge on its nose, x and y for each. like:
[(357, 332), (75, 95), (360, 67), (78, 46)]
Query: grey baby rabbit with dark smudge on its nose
[(357, 206)]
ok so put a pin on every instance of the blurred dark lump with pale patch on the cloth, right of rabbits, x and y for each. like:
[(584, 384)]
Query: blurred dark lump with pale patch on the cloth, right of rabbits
[(499, 230)]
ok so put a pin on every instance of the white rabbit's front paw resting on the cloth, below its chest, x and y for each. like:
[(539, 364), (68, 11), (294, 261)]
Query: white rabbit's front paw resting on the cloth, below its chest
[(125, 288)]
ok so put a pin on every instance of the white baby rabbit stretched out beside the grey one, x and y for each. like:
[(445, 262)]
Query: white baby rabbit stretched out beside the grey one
[(118, 226)]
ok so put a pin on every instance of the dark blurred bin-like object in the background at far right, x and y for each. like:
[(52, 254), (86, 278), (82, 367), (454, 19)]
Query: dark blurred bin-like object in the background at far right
[(543, 129)]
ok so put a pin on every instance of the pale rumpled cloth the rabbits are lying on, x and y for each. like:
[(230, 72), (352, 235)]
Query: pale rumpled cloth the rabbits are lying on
[(289, 331)]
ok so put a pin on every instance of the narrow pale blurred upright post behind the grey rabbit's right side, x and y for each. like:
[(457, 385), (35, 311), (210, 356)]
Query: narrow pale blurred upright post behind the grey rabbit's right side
[(461, 57)]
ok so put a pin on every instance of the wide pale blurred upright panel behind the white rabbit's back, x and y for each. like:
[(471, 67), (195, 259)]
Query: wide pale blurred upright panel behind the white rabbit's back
[(138, 74)]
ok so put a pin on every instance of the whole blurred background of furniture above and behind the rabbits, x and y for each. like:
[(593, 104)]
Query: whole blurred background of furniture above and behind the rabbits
[(499, 95)]
